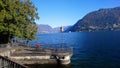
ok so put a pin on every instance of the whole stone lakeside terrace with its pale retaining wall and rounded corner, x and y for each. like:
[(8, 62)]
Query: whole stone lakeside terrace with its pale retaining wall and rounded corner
[(28, 55)]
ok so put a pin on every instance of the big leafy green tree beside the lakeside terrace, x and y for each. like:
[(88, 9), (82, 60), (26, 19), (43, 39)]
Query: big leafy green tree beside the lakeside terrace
[(17, 18)]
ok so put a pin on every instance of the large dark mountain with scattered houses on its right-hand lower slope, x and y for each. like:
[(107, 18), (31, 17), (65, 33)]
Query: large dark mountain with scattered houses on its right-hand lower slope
[(100, 20)]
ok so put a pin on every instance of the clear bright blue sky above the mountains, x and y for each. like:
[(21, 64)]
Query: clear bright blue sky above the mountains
[(67, 12)]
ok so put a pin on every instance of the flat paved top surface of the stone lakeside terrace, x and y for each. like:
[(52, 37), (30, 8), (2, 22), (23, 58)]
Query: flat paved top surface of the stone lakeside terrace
[(25, 51)]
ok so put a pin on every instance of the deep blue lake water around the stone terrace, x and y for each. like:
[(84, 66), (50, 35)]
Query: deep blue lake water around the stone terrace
[(91, 49)]
